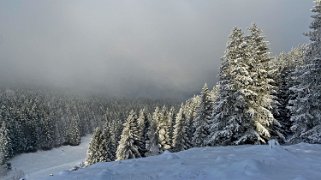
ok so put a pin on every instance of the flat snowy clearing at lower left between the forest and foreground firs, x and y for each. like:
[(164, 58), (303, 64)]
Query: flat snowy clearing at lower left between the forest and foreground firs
[(39, 165)]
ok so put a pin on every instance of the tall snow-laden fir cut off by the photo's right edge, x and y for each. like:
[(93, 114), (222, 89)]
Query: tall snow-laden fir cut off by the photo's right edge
[(305, 108)]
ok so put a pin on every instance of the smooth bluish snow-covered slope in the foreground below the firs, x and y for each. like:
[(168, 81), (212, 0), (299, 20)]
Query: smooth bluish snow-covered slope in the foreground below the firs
[(296, 162)]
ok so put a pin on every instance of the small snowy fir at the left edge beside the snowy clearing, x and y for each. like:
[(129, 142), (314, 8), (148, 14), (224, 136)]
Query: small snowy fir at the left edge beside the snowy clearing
[(5, 144)]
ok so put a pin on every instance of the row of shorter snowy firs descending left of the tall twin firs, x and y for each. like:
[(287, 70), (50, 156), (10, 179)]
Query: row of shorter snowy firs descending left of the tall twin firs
[(147, 134)]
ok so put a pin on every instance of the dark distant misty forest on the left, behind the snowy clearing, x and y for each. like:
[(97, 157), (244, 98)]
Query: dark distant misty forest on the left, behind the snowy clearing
[(32, 119)]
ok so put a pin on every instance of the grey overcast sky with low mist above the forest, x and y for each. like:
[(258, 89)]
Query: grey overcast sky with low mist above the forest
[(134, 47)]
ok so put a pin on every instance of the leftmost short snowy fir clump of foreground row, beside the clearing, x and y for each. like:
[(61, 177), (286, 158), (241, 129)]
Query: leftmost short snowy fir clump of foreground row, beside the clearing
[(99, 147)]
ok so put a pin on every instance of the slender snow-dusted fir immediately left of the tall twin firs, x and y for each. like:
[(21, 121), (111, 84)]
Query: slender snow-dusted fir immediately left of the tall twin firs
[(203, 115)]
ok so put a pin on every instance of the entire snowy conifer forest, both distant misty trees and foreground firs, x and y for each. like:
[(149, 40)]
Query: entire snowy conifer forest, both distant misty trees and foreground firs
[(258, 97)]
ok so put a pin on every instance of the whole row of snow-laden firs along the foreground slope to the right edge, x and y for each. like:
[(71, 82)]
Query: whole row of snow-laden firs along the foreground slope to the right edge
[(258, 97)]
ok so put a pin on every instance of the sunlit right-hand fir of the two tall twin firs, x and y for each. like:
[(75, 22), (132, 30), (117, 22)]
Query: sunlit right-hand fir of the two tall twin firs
[(260, 67)]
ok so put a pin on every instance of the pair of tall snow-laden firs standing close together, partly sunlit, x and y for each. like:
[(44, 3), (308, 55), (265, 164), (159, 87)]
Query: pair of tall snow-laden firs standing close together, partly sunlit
[(242, 113)]
